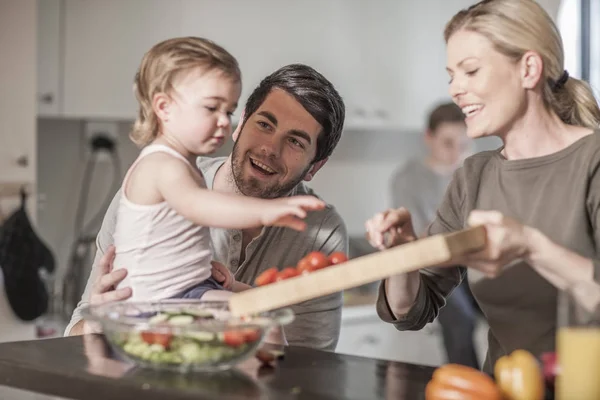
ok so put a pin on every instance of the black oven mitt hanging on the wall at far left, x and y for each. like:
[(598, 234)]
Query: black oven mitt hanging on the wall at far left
[(22, 255)]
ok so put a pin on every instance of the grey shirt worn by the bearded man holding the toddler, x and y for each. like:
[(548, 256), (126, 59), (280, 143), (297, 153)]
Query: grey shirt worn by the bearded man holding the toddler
[(317, 323)]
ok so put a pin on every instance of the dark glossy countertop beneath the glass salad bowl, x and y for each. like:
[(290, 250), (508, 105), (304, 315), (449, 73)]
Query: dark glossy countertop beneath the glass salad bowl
[(82, 367)]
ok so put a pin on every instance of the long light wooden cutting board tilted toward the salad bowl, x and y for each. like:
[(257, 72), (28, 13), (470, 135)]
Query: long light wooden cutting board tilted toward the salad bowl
[(427, 252)]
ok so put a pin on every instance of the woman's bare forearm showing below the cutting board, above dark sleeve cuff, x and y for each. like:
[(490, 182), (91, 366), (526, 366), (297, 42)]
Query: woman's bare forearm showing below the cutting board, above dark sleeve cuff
[(401, 292)]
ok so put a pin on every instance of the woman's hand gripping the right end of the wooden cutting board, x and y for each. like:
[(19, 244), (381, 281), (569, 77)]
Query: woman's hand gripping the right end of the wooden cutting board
[(508, 241)]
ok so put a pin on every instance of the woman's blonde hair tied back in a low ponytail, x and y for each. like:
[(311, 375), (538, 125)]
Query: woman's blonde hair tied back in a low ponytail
[(517, 26)]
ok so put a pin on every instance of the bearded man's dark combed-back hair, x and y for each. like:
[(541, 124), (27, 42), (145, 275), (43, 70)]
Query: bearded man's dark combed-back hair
[(315, 93)]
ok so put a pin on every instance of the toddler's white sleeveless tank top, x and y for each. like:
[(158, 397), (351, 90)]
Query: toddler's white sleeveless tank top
[(163, 252)]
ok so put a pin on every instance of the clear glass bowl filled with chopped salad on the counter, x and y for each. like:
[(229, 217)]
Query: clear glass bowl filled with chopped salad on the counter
[(183, 335)]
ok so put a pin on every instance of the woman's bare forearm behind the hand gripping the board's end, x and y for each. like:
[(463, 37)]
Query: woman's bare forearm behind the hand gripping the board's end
[(559, 265)]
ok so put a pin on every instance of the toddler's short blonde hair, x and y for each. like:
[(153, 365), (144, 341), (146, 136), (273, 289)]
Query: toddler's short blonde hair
[(165, 62)]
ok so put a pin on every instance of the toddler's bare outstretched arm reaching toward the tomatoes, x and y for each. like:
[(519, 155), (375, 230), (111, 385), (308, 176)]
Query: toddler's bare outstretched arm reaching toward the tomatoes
[(176, 184)]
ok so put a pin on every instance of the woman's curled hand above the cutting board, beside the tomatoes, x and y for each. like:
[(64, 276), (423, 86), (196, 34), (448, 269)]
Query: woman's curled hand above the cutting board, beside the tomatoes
[(390, 228)]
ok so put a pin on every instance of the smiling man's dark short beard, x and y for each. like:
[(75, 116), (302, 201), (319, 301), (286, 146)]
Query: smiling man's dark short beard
[(254, 187)]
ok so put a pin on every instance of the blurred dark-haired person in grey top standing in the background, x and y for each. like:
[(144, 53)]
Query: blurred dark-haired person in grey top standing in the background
[(419, 187)]
